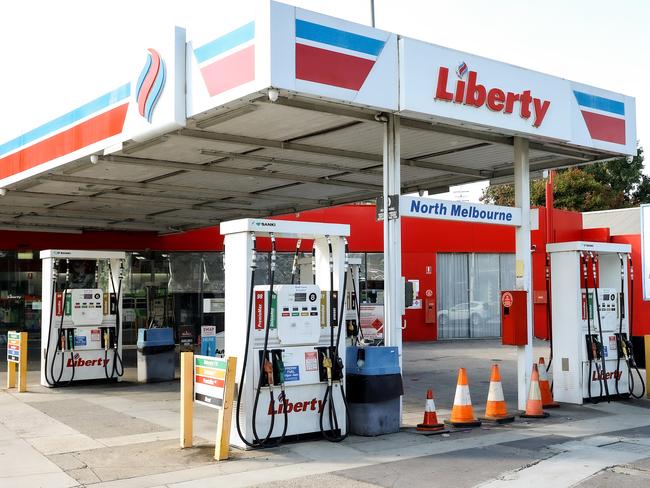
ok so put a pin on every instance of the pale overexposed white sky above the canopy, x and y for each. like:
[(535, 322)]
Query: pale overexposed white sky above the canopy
[(53, 53)]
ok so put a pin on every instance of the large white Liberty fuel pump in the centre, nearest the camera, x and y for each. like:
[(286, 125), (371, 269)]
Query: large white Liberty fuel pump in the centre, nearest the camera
[(286, 334)]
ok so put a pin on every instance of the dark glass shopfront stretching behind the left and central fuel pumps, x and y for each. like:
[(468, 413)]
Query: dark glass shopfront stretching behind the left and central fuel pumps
[(160, 288)]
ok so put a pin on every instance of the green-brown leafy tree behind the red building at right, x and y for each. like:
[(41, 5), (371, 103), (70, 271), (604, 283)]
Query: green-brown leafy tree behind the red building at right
[(601, 186)]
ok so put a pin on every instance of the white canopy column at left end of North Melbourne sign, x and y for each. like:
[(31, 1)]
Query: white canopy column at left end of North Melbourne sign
[(393, 300)]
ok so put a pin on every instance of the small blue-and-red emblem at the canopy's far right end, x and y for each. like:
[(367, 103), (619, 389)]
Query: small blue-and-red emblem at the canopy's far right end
[(604, 117)]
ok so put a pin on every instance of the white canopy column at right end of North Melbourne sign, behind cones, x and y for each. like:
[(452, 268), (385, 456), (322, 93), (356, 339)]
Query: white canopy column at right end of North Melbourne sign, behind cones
[(523, 264)]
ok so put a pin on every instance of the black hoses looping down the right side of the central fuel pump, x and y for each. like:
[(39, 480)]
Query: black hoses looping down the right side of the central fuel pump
[(331, 434)]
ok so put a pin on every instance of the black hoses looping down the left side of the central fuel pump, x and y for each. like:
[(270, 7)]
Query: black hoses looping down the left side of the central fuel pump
[(267, 367)]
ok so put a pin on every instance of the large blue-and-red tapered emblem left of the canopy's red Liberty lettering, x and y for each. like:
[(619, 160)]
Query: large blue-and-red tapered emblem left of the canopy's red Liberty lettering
[(334, 57)]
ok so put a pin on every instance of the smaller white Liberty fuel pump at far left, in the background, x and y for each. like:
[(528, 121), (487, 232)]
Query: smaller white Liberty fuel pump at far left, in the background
[(81, 322)]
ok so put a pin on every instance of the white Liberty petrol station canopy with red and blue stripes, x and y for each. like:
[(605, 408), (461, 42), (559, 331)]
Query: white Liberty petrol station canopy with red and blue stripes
[(284, 112)]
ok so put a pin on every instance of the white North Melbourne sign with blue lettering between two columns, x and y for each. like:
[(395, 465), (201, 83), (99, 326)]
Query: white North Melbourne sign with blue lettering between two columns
[(430, 208)]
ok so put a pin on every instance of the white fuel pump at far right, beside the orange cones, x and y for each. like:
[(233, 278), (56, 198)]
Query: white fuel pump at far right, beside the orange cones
[(588, 313)]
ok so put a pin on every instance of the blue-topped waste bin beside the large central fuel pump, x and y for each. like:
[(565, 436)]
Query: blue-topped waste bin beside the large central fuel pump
[(373, 387)]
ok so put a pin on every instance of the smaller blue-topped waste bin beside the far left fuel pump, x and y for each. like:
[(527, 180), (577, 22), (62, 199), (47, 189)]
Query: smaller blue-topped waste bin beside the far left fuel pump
[(156, 355)]
